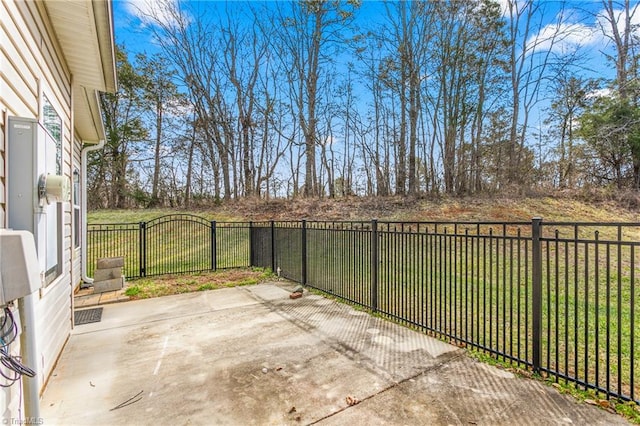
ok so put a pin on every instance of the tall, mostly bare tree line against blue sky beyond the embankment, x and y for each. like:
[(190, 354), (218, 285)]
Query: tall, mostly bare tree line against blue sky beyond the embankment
[(327, 98)]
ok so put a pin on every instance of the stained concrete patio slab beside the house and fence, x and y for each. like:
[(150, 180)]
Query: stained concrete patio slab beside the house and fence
[(252, 356)]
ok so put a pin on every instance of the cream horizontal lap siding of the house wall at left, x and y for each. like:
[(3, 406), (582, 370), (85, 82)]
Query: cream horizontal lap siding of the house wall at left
[(30, 69)]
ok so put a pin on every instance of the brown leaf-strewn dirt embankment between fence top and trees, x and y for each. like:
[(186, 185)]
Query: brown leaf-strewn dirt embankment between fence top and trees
[(556, 207)]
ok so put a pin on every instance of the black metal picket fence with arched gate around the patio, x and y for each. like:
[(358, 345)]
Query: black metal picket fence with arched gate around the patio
[(555, 297)]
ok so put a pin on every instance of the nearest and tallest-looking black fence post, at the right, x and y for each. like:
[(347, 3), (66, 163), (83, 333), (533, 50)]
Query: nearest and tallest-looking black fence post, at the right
[(536, 233)]
